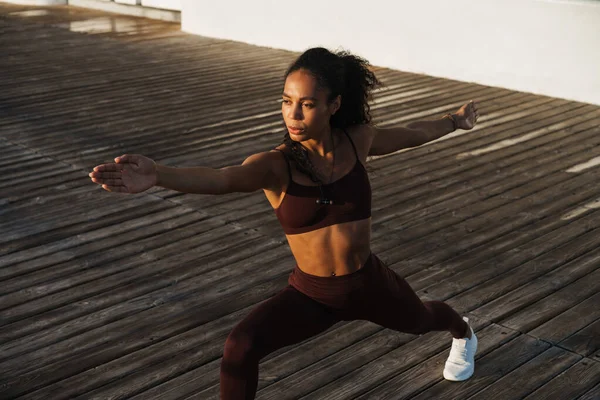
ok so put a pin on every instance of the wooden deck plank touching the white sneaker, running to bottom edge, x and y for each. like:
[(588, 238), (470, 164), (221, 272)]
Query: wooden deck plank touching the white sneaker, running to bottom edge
[(490, 369)]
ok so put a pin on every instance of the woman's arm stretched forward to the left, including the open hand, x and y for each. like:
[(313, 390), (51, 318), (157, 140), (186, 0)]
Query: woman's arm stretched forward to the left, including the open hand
[(133, 173)]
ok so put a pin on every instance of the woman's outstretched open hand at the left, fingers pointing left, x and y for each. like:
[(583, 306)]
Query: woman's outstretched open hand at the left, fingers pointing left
[(130, 173)]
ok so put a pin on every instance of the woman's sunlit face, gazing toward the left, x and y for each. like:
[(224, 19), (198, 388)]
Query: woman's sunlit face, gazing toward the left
[(305, 109)]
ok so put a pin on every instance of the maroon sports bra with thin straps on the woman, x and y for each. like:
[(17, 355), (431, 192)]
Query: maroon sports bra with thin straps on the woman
[(299, 211)]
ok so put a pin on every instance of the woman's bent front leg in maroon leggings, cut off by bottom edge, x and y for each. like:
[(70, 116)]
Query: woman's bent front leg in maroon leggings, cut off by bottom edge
[(287, 318)]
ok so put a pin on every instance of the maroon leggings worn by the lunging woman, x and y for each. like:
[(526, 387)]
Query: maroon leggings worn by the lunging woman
[(310, 304)]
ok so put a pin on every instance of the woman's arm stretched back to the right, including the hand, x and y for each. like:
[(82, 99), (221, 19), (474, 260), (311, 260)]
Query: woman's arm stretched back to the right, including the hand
[(389, 140)]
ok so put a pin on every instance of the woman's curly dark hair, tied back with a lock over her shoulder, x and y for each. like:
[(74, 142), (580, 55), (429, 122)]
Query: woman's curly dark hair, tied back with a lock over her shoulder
[(342, 74)]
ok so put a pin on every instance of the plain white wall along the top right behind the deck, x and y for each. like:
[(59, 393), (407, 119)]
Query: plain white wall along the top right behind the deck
[(540, 46)]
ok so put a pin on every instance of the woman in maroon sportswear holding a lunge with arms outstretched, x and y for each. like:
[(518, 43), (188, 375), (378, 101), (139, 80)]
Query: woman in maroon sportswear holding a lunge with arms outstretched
[(318, 186)]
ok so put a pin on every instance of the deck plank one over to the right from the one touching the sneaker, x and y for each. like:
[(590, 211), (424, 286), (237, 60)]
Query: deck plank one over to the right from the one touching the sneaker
[(518, 383)]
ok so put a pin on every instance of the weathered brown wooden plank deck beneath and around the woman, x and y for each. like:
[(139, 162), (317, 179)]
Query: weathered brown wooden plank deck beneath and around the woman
[(110, 296)]
